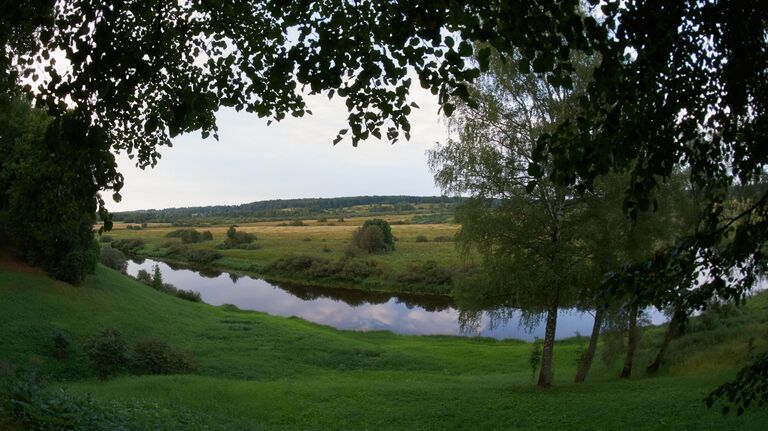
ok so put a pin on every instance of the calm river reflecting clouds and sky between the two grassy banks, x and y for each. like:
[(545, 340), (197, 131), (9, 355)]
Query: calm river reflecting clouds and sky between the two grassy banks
[(356, 309)]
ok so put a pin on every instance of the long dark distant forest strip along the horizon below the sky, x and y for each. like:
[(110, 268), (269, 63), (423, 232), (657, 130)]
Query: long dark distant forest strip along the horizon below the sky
[(293, 208)]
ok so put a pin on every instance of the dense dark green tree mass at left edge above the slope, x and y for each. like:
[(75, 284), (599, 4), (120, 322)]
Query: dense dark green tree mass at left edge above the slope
[(48, 202)]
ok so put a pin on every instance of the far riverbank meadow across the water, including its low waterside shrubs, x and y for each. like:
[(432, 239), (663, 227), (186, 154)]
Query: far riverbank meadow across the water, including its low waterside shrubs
[(424, 260)]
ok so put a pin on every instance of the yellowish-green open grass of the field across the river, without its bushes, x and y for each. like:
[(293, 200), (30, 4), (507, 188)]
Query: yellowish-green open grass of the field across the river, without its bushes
[(328, 240)]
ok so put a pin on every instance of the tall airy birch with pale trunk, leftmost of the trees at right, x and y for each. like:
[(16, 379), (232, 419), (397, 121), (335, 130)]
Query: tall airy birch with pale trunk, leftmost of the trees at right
[(523, 226)]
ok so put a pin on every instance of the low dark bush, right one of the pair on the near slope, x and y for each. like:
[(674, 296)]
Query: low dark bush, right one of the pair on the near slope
[(157, 357)]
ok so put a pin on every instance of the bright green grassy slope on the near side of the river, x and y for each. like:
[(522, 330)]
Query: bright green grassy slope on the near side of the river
[(264, 372)]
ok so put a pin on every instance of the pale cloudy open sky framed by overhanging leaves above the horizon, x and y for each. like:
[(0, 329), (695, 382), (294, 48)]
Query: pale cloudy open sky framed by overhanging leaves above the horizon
[(294, 158)]
